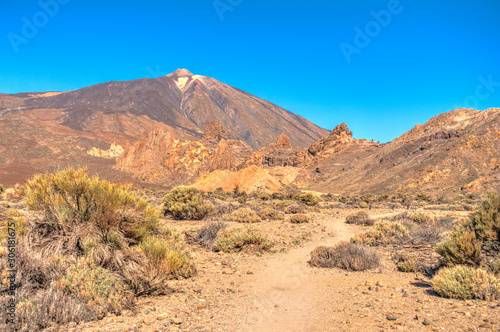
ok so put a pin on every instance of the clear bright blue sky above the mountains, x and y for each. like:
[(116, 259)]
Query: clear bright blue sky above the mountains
[(379, 66)]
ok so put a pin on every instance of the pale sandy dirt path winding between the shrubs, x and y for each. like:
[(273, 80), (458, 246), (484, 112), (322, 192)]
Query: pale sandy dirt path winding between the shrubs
[(285, 294)]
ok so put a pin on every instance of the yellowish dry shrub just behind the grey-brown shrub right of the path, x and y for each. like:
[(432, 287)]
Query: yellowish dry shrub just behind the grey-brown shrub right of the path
[(384, 232)]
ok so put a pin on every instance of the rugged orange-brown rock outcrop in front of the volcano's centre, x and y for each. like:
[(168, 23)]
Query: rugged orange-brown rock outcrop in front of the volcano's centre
[(158, 158)]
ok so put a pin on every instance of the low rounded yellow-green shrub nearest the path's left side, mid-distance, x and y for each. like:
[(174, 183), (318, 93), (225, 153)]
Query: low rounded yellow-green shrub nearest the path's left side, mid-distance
[(235, 239)]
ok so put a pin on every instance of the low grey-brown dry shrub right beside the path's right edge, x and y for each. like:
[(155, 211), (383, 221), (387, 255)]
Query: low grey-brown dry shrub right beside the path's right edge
[(345, 255)]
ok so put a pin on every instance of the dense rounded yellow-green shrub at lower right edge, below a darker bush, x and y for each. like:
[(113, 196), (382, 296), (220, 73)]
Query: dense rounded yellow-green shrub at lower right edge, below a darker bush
[(463, 282)]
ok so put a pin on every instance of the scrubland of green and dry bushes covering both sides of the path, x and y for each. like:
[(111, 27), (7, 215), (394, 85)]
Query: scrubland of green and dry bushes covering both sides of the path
[(98, 248)]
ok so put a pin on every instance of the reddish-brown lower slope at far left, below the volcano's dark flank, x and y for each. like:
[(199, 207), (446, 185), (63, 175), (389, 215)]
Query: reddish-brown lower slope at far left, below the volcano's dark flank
[(35, 141)]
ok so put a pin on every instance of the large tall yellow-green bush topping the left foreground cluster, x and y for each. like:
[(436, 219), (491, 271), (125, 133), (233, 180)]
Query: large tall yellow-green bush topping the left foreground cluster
[(77, 208)]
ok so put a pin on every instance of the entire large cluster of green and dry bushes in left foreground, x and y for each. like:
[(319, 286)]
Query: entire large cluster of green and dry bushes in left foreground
[(91, 245)]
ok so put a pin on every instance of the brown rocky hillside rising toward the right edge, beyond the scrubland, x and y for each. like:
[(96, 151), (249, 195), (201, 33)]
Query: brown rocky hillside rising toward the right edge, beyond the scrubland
[(453, 151)]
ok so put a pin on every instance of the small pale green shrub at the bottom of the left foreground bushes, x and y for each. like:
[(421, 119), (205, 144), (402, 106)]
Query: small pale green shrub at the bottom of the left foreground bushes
[(96, 286)]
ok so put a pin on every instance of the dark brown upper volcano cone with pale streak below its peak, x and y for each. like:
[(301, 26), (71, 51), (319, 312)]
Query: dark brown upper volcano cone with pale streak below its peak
[(182, 101)]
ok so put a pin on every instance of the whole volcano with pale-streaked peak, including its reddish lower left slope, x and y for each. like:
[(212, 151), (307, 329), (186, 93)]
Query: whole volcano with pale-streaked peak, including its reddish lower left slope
[(43, 131)]
